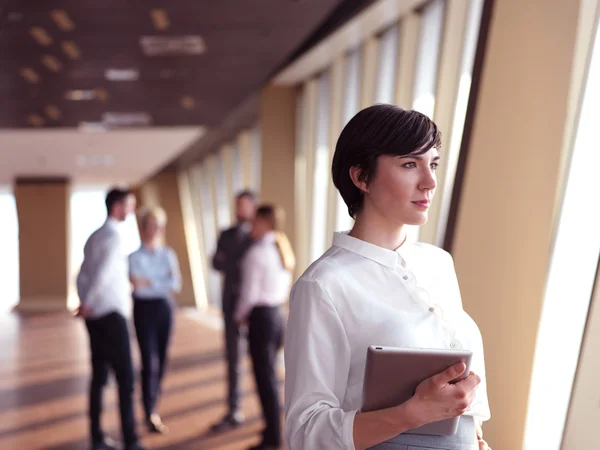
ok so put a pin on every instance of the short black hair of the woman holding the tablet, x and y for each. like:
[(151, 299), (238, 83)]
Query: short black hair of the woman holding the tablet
[(378, 130)]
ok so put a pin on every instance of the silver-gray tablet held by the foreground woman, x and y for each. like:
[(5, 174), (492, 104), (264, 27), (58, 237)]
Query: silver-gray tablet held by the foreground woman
[(392, 375)]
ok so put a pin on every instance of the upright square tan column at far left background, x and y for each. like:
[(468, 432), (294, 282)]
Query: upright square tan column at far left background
[(44, 238)]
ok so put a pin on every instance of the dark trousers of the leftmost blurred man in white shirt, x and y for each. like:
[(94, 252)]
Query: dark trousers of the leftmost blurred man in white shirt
[(109, 343)]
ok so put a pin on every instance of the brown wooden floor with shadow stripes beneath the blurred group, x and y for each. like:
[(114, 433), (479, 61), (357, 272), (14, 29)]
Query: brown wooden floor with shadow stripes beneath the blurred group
[(44, 377)]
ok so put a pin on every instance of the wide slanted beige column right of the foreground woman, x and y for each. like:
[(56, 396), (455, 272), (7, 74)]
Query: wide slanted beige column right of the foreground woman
[(504, 226)]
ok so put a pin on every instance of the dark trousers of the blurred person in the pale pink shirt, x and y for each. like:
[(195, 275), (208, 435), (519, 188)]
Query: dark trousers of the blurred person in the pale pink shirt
[(265, 336)]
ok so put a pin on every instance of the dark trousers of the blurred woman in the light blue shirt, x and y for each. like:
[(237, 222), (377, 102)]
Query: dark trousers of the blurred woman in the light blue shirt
[(153, 319)]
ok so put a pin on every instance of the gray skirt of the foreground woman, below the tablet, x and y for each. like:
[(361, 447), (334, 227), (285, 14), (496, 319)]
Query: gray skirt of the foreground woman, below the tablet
[(464, 439)]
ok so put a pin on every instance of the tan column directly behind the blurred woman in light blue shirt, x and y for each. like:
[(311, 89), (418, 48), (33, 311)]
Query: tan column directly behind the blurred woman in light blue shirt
[(163, 190)]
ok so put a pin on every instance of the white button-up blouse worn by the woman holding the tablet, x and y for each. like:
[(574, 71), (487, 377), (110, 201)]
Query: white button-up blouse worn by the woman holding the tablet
[(356, 295)]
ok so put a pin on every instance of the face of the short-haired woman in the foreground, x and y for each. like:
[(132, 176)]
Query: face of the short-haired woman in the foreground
[(403, 187)]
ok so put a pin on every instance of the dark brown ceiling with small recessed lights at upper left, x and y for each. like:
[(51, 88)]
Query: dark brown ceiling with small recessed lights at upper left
[(246, 41)]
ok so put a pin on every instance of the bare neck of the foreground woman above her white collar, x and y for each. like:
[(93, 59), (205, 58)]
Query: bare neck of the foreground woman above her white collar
[(378, 230)]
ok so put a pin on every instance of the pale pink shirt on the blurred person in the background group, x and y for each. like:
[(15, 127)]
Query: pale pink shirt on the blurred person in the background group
[(265, 282)]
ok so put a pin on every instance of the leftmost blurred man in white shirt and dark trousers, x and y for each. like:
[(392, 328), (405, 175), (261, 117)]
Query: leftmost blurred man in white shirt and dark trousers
[(105, 294)]
